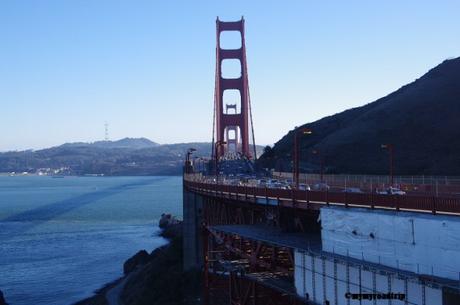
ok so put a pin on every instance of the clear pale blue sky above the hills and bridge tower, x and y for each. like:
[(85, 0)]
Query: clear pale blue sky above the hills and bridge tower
[(147, 67)]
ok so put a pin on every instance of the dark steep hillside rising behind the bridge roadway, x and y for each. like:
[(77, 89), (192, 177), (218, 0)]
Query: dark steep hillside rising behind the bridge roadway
[(421, 120)]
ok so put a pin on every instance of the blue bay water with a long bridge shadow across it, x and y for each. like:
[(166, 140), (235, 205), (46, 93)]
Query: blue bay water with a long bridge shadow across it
[(61, 239)]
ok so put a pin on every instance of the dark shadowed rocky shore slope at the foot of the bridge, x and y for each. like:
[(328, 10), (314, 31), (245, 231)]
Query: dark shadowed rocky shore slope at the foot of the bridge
[(143, 282)]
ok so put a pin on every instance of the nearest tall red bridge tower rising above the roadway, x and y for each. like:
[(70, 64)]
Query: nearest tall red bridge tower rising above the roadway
[(231, 93)]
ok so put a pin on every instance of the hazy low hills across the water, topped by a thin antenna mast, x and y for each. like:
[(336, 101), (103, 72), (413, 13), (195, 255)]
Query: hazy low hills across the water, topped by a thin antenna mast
[(129, 156)]
